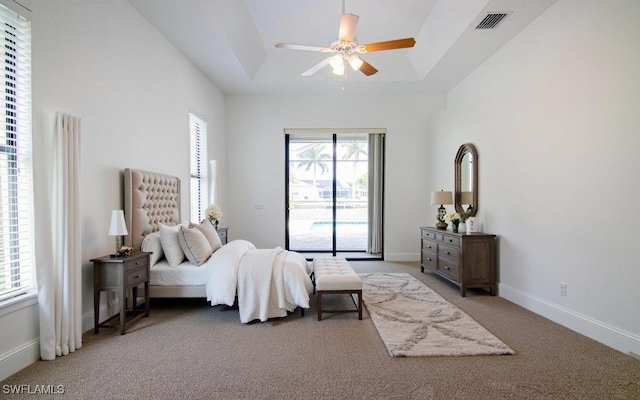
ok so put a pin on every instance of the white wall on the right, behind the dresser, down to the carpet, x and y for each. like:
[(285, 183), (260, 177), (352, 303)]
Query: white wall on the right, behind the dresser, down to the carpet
[(555, 117)]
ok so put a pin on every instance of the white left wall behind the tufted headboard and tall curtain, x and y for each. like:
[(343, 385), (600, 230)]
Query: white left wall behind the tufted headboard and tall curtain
[(101, 61)]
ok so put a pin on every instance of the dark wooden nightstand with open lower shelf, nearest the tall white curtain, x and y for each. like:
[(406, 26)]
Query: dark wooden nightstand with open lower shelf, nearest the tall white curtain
[(119, 274)]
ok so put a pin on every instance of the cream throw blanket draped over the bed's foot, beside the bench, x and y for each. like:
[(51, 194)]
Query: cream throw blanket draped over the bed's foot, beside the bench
[(260, 286)]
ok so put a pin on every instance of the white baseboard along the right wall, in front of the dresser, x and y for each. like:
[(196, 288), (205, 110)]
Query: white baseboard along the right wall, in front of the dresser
[(606, 334)]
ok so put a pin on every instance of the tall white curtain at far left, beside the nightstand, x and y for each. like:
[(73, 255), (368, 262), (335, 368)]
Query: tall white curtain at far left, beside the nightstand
[(59, 277)]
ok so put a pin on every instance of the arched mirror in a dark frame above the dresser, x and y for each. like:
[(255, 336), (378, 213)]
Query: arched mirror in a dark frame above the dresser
[(466, 179)]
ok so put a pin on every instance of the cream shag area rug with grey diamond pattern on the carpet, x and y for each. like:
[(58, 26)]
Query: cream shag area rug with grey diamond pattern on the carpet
[(414, 321)]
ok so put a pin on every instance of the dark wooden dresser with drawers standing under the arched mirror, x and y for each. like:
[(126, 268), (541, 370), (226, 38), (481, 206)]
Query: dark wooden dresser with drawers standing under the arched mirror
[(468, 260)]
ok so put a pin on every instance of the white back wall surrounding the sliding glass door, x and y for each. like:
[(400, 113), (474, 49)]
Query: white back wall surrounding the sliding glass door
[(256, 163)]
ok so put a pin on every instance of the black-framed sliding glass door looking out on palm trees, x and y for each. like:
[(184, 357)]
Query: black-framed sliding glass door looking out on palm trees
[(328, 196)]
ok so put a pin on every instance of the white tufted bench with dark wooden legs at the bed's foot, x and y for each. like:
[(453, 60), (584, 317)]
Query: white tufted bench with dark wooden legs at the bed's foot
[(335, 276)]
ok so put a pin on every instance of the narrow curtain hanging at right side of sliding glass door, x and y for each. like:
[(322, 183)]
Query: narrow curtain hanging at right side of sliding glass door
[(376, 192)]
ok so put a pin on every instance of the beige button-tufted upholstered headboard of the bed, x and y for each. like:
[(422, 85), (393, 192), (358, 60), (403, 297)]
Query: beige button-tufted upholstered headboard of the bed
[(150, 199)]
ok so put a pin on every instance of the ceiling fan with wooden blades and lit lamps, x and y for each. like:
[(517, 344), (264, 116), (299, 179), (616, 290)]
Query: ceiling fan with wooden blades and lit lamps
[(346, 49)]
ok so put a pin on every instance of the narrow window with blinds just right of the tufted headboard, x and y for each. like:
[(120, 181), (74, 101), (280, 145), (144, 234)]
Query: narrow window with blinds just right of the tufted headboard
[(198, 134)]
